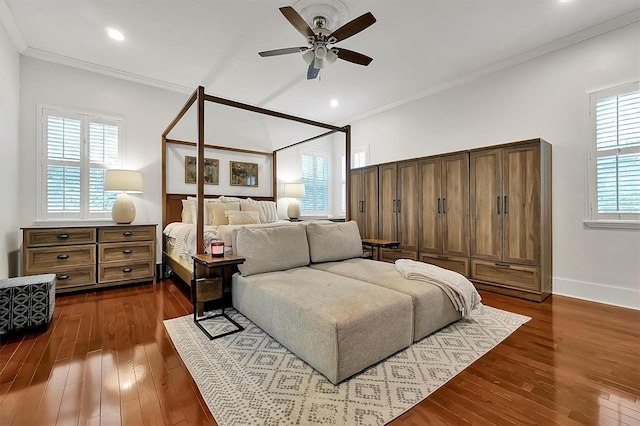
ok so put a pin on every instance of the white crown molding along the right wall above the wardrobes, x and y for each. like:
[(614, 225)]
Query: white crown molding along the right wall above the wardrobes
[(570, 40)]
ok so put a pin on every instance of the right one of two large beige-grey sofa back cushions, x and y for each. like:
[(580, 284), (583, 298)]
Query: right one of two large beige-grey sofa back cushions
[(330, 242)]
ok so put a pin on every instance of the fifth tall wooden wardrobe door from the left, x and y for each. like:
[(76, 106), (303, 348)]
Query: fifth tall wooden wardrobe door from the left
[(430, 206)]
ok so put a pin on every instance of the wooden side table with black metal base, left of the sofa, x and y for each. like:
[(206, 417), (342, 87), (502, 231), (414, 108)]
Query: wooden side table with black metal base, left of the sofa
[(211, 275)]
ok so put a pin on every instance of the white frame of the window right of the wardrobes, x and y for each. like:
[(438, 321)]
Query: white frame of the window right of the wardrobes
[(595, 219)]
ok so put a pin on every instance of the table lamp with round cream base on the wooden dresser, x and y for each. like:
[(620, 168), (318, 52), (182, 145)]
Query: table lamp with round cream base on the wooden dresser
[(123, 182)]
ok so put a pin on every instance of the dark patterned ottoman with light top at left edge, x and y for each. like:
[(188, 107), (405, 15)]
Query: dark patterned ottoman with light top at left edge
[(27, 302)]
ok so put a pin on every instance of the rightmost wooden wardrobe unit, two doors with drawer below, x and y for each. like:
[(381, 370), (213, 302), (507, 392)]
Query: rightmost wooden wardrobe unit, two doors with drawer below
[(511, 219)]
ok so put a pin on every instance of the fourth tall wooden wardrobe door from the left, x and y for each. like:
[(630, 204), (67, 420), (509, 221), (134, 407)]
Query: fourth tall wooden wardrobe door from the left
[(407, 206)]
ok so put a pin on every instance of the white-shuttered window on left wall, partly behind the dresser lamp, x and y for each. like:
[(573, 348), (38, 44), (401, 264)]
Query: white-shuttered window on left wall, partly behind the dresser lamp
[(76, 151)]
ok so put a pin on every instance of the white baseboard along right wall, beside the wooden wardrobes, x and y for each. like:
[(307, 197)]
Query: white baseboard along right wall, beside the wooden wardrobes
[(609, 295)]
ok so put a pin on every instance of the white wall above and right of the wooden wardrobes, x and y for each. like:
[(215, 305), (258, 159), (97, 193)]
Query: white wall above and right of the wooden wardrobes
[(546, 97)]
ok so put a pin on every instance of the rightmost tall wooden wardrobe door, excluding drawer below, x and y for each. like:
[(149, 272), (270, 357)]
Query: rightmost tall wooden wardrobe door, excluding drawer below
[(521, 204)]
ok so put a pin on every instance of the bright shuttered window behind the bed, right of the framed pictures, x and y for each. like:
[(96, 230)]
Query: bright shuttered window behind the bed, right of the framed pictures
[(315, 176)]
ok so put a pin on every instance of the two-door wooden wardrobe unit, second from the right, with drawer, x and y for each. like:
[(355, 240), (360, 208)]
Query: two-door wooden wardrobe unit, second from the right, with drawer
[(444, 212)]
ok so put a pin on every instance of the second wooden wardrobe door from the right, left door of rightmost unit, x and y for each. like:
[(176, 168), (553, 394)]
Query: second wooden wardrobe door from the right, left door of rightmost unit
[(486, 204)]
